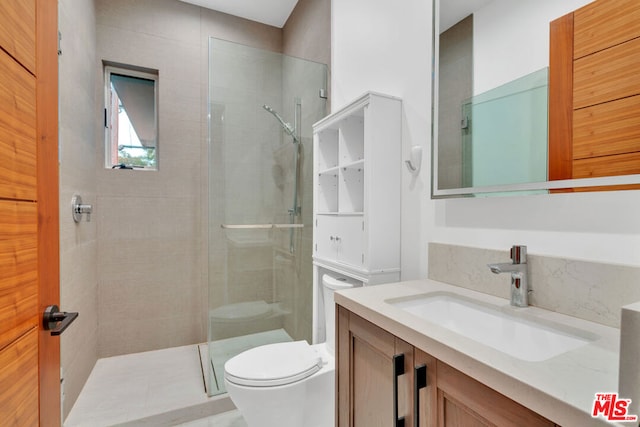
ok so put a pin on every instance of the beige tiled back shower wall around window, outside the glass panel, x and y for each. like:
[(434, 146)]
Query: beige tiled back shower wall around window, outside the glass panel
[(152, 226)]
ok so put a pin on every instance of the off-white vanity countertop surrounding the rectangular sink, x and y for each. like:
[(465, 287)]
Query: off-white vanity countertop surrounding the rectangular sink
[(561, 389)]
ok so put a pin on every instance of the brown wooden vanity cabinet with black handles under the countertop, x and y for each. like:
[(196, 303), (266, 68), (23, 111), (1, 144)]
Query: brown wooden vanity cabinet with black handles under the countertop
[(368, 385)]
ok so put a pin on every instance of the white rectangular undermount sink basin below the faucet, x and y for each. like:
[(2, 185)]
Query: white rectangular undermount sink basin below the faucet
[(517, 335)]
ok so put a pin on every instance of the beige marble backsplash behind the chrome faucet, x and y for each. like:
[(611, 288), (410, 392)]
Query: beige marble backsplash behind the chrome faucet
[(587, 290)]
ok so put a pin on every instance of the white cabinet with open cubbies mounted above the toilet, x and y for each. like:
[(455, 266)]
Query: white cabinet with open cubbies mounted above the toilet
[(357, 164)]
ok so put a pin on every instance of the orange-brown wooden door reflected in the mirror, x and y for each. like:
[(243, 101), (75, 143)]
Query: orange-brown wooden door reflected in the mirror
[(594, 92)]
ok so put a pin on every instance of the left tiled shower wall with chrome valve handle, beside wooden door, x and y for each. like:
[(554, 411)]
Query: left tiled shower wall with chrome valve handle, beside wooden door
[(78, 134)]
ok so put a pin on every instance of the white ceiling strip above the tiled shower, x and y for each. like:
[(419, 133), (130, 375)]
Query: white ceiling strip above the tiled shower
[(270, 12)]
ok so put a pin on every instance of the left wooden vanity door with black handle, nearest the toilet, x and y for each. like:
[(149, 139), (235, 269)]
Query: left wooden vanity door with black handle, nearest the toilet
[(365, 374)]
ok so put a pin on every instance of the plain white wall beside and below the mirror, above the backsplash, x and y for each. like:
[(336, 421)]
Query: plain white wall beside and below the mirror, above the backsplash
[(377, 45)]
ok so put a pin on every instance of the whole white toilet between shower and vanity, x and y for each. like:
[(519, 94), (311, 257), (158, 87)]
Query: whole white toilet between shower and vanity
[(288, 384)]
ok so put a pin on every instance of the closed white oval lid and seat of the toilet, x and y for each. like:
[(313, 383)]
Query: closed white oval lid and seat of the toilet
[(273, 364)]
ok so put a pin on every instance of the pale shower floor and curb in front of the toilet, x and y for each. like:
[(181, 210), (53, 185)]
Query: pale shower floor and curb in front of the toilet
[(162, 387)]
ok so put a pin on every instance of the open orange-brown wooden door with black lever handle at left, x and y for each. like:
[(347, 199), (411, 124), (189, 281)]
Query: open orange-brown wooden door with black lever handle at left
[(29, 228)]
